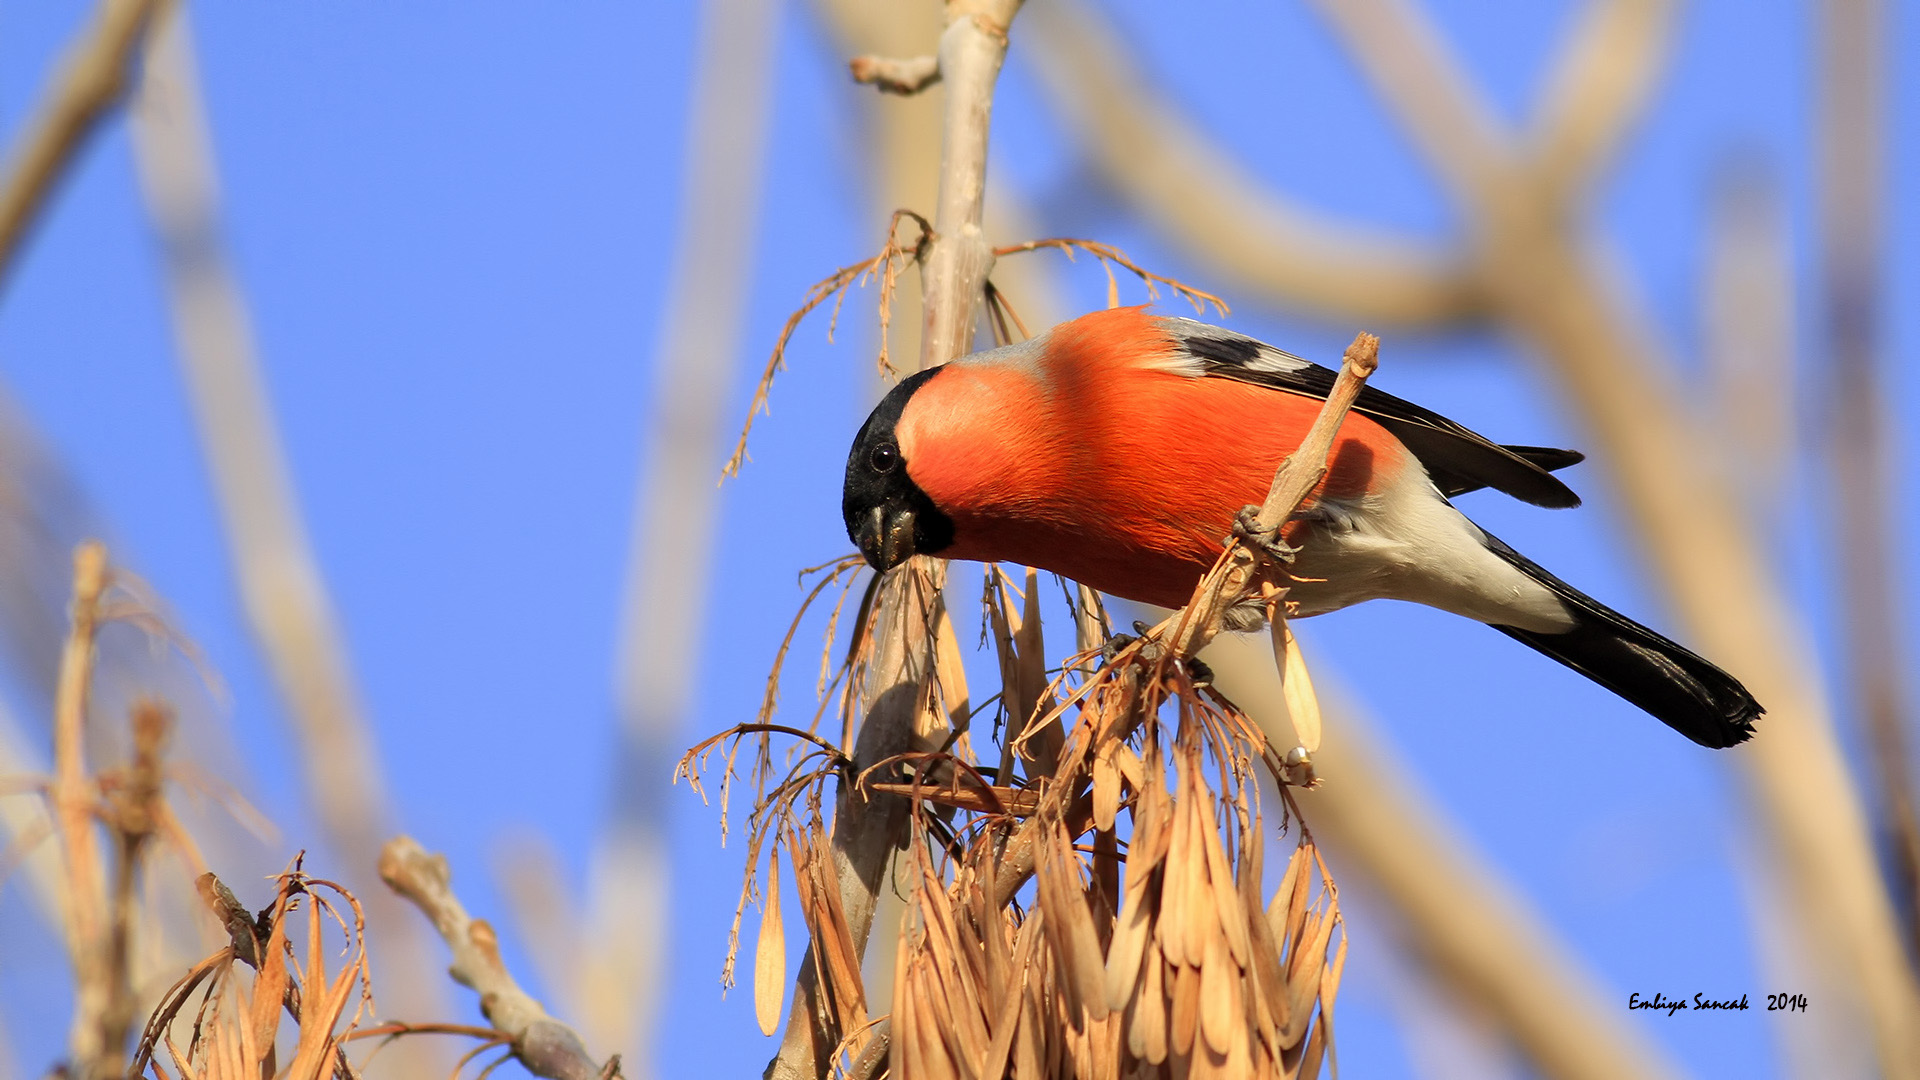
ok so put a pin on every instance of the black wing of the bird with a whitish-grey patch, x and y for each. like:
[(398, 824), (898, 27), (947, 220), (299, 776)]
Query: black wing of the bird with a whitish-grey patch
[(1456, 458)]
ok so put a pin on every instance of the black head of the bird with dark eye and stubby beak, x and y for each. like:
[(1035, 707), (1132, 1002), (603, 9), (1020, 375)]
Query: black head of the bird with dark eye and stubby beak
[(888, 516)]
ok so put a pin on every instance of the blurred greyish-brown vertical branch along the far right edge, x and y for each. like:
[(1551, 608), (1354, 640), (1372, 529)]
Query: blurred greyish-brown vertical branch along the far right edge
[(1854, 126)]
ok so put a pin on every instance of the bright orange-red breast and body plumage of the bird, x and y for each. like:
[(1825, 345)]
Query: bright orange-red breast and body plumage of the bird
[(1126, 479)]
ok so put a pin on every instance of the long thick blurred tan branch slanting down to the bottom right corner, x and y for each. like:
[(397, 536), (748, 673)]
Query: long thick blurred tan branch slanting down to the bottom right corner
[(1552, 289)]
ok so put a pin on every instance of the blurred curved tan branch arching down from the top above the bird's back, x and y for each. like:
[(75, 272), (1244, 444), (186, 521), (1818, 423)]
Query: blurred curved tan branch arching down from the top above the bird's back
[(1211, 207)]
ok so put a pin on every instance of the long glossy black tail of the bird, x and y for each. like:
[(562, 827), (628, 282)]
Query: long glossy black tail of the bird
[(1681, 689)]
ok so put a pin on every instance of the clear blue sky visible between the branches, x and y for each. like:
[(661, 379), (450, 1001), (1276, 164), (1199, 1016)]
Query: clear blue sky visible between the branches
[(454, 228)]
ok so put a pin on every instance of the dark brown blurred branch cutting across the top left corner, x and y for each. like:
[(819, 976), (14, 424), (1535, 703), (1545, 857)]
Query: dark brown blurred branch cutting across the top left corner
[(87, 86)]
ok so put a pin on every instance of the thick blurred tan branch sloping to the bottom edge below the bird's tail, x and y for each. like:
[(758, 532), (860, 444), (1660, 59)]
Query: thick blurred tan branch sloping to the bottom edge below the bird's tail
[(1458, 916)]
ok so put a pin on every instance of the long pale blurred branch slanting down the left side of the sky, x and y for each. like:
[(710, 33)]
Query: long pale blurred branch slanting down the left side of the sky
[(276, 570)]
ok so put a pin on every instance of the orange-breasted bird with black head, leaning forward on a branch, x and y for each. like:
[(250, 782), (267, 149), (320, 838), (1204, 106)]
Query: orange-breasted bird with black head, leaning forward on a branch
[(1120, 451)]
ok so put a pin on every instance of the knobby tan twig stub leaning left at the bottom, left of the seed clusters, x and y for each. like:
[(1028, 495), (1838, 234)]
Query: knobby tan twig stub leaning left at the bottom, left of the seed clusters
[(542, 1044)]
